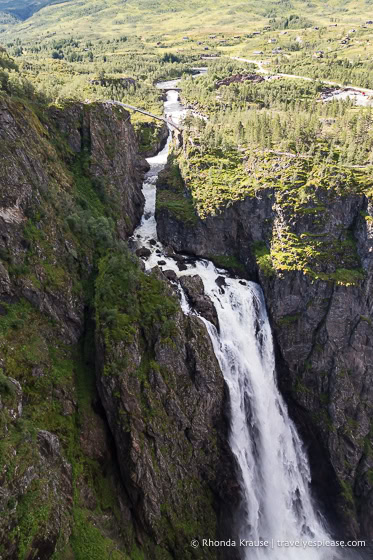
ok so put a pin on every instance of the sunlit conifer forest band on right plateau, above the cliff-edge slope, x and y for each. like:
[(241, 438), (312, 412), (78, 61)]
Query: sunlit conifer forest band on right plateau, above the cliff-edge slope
[(284, 115)]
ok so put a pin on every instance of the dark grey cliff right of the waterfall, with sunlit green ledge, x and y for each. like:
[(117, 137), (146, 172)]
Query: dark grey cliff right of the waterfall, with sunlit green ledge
[(314, 263)]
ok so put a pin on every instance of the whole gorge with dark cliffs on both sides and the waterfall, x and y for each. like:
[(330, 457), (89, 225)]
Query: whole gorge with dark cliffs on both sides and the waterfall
[(131, 426)]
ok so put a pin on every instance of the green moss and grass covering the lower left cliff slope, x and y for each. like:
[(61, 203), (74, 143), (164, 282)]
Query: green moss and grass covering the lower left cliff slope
[(53, 375)]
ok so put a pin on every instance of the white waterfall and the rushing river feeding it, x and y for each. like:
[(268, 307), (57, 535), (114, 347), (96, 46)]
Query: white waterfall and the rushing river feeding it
[(272, 464)]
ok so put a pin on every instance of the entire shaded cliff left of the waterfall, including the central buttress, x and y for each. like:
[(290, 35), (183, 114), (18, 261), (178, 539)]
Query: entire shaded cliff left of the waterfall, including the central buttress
[(90, 467)]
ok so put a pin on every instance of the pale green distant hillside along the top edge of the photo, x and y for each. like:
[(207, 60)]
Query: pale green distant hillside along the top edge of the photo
[(175, 18)]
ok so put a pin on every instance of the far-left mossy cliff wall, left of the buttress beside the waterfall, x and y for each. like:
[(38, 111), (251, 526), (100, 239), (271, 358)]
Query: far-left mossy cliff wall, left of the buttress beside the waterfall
[(50, 201)]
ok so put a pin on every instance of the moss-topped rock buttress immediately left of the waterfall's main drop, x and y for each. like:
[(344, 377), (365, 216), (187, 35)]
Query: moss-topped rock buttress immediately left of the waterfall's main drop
[(164, 395)]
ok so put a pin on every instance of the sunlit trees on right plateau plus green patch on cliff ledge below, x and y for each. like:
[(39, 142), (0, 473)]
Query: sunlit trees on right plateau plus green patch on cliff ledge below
[(276, 136)]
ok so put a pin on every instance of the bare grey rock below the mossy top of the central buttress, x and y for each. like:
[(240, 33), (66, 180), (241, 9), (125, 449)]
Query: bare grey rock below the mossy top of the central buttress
[(167, 418)]
